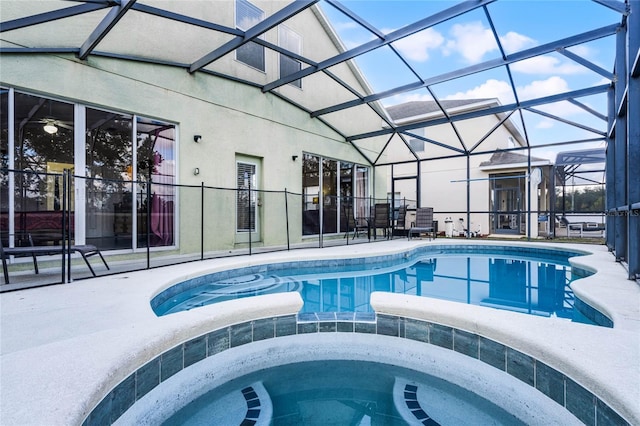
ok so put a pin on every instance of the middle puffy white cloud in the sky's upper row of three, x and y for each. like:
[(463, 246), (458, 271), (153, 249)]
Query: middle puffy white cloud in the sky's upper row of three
[(471, 40)]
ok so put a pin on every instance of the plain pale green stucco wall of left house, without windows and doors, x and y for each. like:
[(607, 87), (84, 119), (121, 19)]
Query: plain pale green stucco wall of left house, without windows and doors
[(233, 119)]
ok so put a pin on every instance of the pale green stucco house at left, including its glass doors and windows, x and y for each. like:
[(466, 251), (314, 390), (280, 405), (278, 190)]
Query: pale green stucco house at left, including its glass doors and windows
[(141, 125)]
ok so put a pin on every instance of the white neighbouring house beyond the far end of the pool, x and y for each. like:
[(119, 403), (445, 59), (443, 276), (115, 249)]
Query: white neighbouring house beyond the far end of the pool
[(496, 174)]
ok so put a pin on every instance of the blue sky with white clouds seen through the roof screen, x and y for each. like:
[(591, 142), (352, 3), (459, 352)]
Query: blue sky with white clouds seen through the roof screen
[(468, 40)]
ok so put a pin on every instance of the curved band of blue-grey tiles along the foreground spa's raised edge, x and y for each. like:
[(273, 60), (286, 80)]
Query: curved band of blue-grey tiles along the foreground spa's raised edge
[(554, 384)]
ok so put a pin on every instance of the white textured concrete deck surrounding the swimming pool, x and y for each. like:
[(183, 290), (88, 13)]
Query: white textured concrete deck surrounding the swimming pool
[(63, 347)]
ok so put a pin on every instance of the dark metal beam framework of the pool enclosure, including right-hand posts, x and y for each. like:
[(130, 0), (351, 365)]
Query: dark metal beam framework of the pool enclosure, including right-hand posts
[(622, 137)]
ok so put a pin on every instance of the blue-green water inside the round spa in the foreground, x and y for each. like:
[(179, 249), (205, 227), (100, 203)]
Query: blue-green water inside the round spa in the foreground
[(333, 392)]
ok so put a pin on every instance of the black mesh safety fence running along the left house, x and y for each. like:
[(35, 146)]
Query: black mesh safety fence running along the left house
[(145, 224)]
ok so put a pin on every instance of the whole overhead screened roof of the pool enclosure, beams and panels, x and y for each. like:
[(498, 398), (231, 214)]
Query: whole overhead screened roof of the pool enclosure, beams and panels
[(556, 51)]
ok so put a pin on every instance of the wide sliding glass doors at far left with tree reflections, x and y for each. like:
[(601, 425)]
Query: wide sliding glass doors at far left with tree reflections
[(124, 175)]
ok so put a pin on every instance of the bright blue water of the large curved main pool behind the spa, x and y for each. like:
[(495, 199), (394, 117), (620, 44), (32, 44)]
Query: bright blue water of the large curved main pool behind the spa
[(533, 282)]
